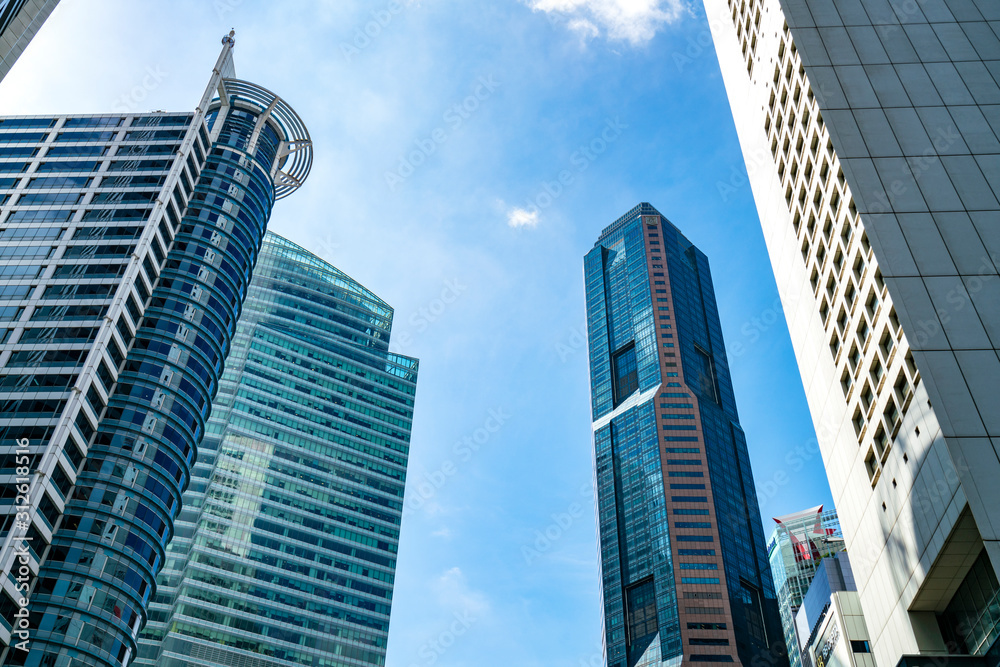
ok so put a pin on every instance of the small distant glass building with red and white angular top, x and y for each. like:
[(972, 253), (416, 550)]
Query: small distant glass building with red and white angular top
[(797, 546)]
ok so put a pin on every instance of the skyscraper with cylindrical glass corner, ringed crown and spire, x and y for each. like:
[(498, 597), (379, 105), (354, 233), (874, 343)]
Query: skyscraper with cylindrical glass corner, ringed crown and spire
[(127, 243)]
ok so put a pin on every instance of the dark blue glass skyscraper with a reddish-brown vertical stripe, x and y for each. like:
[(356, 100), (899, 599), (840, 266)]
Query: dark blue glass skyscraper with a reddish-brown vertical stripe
[(684, 569)]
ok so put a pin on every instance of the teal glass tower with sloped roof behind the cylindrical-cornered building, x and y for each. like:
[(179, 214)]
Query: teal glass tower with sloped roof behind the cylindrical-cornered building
[(285, 551)]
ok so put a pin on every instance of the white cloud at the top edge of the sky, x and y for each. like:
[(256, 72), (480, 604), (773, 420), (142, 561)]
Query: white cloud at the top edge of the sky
[(633, 21)]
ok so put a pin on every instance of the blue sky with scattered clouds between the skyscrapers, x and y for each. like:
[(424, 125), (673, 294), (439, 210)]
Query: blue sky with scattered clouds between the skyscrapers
[(440, 137)]
